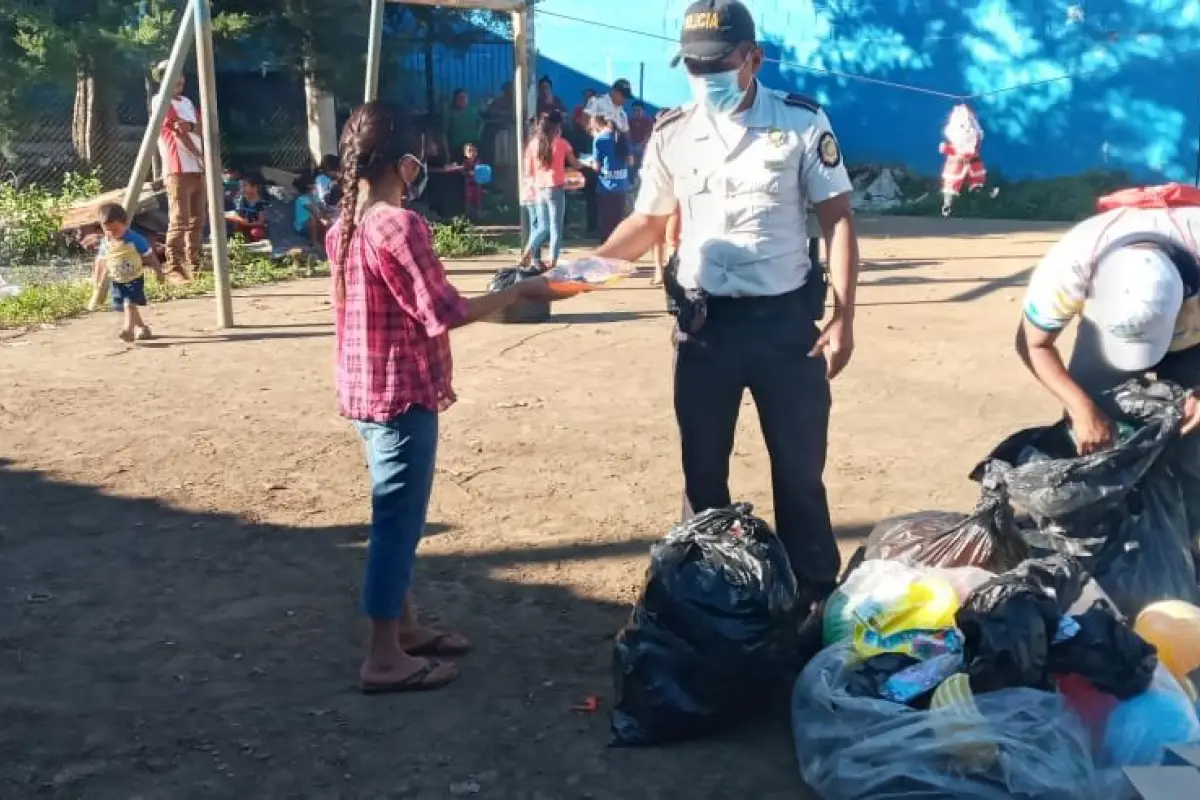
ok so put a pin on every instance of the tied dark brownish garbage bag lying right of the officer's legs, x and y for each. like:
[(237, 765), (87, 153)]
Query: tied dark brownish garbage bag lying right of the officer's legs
[(988, 538)]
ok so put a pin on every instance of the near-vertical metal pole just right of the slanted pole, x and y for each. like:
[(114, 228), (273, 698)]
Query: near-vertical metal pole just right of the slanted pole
[(213, 179)]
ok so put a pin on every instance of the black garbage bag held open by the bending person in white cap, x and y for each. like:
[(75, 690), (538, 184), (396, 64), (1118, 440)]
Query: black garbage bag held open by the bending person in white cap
[(1124, 512)]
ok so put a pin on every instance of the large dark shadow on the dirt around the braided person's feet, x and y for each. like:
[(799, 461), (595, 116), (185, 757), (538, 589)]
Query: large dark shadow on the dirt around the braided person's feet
[(160, 653)]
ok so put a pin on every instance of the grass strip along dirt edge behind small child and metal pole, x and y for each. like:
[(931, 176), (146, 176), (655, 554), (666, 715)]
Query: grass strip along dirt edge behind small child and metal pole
[(47, 303)]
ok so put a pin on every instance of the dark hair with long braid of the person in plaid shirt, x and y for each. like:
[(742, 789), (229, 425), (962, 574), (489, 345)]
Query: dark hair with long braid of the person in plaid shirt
[(374, 142)]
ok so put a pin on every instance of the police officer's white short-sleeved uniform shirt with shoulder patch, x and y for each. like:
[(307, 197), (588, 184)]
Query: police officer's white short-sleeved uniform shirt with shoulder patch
[(743, 187)]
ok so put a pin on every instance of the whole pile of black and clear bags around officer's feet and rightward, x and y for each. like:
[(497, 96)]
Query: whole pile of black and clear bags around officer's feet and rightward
[(987, 655)]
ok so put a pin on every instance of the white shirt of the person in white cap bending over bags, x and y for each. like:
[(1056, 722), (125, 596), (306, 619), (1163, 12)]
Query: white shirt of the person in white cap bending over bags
[(1061, 282)]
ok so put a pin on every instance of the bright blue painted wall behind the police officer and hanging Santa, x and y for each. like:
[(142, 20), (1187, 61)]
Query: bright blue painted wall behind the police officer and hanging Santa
[(1118, 91)]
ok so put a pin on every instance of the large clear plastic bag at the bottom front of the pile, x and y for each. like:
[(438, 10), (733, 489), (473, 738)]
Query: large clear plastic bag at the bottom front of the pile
[(1017, 743)]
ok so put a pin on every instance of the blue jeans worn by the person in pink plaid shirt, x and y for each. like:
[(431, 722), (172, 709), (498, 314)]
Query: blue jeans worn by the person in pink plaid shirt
[(400, 455)]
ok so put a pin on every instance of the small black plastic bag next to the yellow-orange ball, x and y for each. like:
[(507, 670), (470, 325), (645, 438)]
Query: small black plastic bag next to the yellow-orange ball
[(1107, 653)]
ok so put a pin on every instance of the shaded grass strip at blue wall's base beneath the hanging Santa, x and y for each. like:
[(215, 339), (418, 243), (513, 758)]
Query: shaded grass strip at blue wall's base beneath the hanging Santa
[(1053, 200)]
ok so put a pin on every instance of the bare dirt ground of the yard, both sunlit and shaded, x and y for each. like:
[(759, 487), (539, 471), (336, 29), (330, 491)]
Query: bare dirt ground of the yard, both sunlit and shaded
[(182, 522)]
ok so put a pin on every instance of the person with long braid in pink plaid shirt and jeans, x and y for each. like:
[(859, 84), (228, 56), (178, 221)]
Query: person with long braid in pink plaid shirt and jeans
[(394, 310)]
